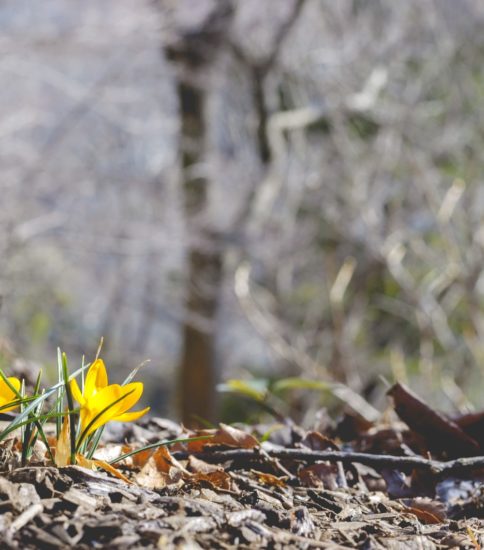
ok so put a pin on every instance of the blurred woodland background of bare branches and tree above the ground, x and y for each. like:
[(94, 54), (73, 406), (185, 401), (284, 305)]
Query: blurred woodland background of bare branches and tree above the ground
[(246, 190)]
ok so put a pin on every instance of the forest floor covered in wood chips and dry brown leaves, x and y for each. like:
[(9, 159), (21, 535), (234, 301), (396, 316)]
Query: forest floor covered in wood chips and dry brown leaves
[(413, 482)]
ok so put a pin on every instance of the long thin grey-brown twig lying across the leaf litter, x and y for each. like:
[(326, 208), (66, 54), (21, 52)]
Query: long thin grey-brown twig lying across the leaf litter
[(437, 467)]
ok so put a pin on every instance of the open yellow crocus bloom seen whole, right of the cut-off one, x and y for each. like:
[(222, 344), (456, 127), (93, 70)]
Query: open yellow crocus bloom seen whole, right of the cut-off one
[(98, 395)]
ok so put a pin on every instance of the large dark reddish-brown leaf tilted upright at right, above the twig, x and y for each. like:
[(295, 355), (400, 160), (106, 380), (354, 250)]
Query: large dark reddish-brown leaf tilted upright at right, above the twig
[(440, 433)]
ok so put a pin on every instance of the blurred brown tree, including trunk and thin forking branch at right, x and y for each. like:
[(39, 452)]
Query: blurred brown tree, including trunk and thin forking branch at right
[(197, 34)]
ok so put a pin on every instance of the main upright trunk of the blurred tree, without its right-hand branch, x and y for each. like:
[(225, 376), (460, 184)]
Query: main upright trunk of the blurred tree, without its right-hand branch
[(198, 32)]
